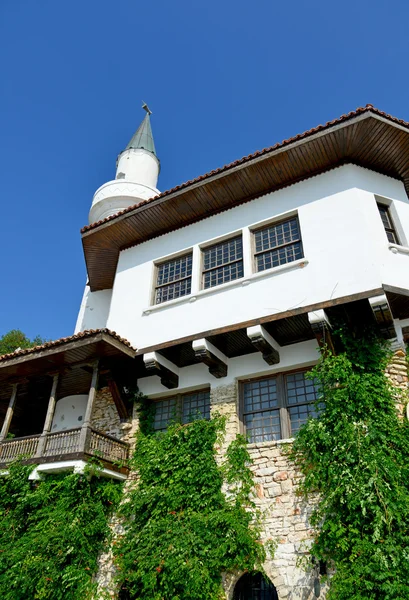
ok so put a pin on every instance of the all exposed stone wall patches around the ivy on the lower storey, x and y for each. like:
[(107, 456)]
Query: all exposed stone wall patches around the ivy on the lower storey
[(284, 515)]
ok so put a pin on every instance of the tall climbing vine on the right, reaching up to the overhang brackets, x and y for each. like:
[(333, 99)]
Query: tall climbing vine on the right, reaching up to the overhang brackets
[(356, 457)]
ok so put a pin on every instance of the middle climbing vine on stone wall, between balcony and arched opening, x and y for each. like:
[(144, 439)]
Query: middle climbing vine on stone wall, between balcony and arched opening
[(182, 531)]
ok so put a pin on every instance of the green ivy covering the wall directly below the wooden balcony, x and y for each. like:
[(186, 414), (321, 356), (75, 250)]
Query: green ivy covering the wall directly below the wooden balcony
[(52, 533)]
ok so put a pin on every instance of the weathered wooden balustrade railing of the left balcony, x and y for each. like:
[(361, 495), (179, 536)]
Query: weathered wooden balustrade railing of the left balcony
[(64, 445)]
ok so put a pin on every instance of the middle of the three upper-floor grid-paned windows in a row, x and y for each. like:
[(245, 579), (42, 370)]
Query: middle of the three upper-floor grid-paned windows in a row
[(222, 262)]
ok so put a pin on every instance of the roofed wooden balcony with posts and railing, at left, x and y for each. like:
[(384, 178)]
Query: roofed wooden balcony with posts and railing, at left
[(71, 371)]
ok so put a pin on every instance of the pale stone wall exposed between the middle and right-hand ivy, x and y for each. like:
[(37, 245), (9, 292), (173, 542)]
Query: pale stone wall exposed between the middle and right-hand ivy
[(284, 517)]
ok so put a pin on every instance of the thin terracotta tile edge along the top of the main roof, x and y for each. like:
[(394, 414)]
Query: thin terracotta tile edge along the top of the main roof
[(360, 110)]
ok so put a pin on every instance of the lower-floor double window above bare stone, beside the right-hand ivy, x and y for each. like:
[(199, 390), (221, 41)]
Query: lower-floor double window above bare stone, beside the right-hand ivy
[(276, 408)]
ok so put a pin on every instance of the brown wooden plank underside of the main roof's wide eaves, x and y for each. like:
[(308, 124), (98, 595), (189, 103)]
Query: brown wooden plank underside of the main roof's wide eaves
[(367, 139)]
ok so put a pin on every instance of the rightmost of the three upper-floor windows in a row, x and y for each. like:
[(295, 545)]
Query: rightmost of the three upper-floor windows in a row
[(278, 244)]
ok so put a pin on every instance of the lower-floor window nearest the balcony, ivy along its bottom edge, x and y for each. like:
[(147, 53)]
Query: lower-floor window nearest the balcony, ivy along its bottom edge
[(184, 408)]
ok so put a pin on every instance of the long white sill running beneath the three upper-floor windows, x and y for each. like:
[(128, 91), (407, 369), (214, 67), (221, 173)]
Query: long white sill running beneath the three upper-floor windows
[(243, 281)]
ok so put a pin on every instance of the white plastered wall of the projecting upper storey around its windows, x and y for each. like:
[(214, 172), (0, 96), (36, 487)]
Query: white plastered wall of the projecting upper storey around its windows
[(345, 248)]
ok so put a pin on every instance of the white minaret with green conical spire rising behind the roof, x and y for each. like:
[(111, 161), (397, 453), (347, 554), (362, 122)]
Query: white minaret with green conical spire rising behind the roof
[(136, 175)]
